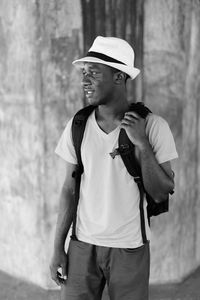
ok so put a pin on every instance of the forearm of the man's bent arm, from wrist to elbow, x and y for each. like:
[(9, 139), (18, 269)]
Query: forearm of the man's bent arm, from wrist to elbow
[(156, 181)]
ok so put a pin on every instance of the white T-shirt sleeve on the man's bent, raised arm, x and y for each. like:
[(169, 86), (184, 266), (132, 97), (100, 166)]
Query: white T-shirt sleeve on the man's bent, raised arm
[(161, 139)]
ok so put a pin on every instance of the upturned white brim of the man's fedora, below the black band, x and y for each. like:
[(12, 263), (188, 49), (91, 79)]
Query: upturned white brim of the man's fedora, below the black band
[(131, 71)]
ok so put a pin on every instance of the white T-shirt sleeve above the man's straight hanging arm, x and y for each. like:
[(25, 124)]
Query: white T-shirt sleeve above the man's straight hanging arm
[(65, 148)]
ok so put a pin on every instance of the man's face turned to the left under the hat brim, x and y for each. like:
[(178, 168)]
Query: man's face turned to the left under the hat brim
[(97, 83)]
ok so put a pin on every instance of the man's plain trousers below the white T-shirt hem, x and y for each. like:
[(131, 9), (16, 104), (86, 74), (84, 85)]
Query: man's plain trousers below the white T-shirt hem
[(126, 272)]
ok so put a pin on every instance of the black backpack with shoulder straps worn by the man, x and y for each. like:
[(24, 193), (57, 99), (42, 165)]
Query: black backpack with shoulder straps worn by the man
[(126, 150)]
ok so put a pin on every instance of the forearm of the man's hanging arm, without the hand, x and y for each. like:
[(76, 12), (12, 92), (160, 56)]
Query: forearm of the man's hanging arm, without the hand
[(65, 217)]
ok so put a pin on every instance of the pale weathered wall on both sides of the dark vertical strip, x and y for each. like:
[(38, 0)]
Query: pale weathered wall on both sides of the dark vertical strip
[(40, 91)]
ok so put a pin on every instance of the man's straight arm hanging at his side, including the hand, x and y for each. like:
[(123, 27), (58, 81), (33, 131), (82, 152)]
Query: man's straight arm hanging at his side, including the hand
[(64, 221)]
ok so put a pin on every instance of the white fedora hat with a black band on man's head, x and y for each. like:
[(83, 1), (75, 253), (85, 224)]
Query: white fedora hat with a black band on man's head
[(113, 52)]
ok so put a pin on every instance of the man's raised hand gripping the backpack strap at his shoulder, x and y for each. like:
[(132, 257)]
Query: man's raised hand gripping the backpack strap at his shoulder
[(135, 128)]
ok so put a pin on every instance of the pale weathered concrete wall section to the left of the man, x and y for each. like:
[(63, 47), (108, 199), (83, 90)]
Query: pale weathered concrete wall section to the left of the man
[(38, 94)]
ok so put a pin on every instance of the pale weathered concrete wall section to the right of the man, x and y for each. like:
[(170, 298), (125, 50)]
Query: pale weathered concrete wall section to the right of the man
[(172, 86)]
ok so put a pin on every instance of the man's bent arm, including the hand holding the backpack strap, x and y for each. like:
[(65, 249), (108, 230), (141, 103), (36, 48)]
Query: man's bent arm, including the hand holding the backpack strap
[(158, 179)]
